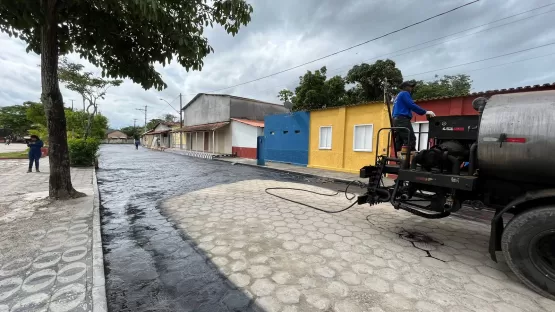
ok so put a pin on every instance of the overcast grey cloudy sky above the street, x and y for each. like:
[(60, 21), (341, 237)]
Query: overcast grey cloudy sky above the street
[(287, 33)]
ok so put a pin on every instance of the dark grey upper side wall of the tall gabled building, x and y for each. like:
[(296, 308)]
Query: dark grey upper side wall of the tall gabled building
[(253, 110)]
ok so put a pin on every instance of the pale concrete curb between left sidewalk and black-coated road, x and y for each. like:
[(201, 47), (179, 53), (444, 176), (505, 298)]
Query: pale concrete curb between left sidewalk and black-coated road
[(99, 301)]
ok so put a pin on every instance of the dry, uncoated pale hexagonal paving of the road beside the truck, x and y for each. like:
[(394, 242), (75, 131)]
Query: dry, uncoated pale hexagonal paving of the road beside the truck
[(289, 257)]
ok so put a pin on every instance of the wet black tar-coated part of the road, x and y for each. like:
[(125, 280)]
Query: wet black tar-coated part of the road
[(149, 264)]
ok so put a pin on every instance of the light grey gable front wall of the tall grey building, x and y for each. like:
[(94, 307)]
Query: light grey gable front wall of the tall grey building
[(207, 109)]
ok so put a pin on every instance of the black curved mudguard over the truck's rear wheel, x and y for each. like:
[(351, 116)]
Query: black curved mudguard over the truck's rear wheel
[(497, 221)]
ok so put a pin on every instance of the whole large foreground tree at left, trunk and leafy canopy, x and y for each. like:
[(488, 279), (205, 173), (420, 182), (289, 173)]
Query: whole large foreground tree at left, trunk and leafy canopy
[(126, 38)]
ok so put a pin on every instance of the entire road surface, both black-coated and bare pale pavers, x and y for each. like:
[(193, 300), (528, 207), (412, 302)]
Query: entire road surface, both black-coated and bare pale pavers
[(187, 234)]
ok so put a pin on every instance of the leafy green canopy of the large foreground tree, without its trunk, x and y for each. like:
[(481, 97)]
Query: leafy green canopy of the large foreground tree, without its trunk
[(126, 37)]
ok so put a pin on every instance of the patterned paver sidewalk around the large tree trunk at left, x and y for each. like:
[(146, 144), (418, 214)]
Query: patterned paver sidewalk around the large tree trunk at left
[(46, 258)]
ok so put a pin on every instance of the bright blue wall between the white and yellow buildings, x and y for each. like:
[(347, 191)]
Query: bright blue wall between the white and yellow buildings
[(287, 147)]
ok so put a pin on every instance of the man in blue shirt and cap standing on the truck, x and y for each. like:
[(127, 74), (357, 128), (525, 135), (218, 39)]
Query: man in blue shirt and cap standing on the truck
[(402, 115)]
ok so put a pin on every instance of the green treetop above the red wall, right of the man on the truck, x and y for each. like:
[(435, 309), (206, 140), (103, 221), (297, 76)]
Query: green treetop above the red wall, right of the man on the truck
[(456, 85)]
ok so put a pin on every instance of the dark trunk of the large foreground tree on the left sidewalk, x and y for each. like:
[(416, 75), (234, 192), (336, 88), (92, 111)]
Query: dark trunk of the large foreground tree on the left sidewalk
[(60, 186)]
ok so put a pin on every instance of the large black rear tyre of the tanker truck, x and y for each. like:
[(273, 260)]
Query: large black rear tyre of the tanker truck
[(528, 245)]
